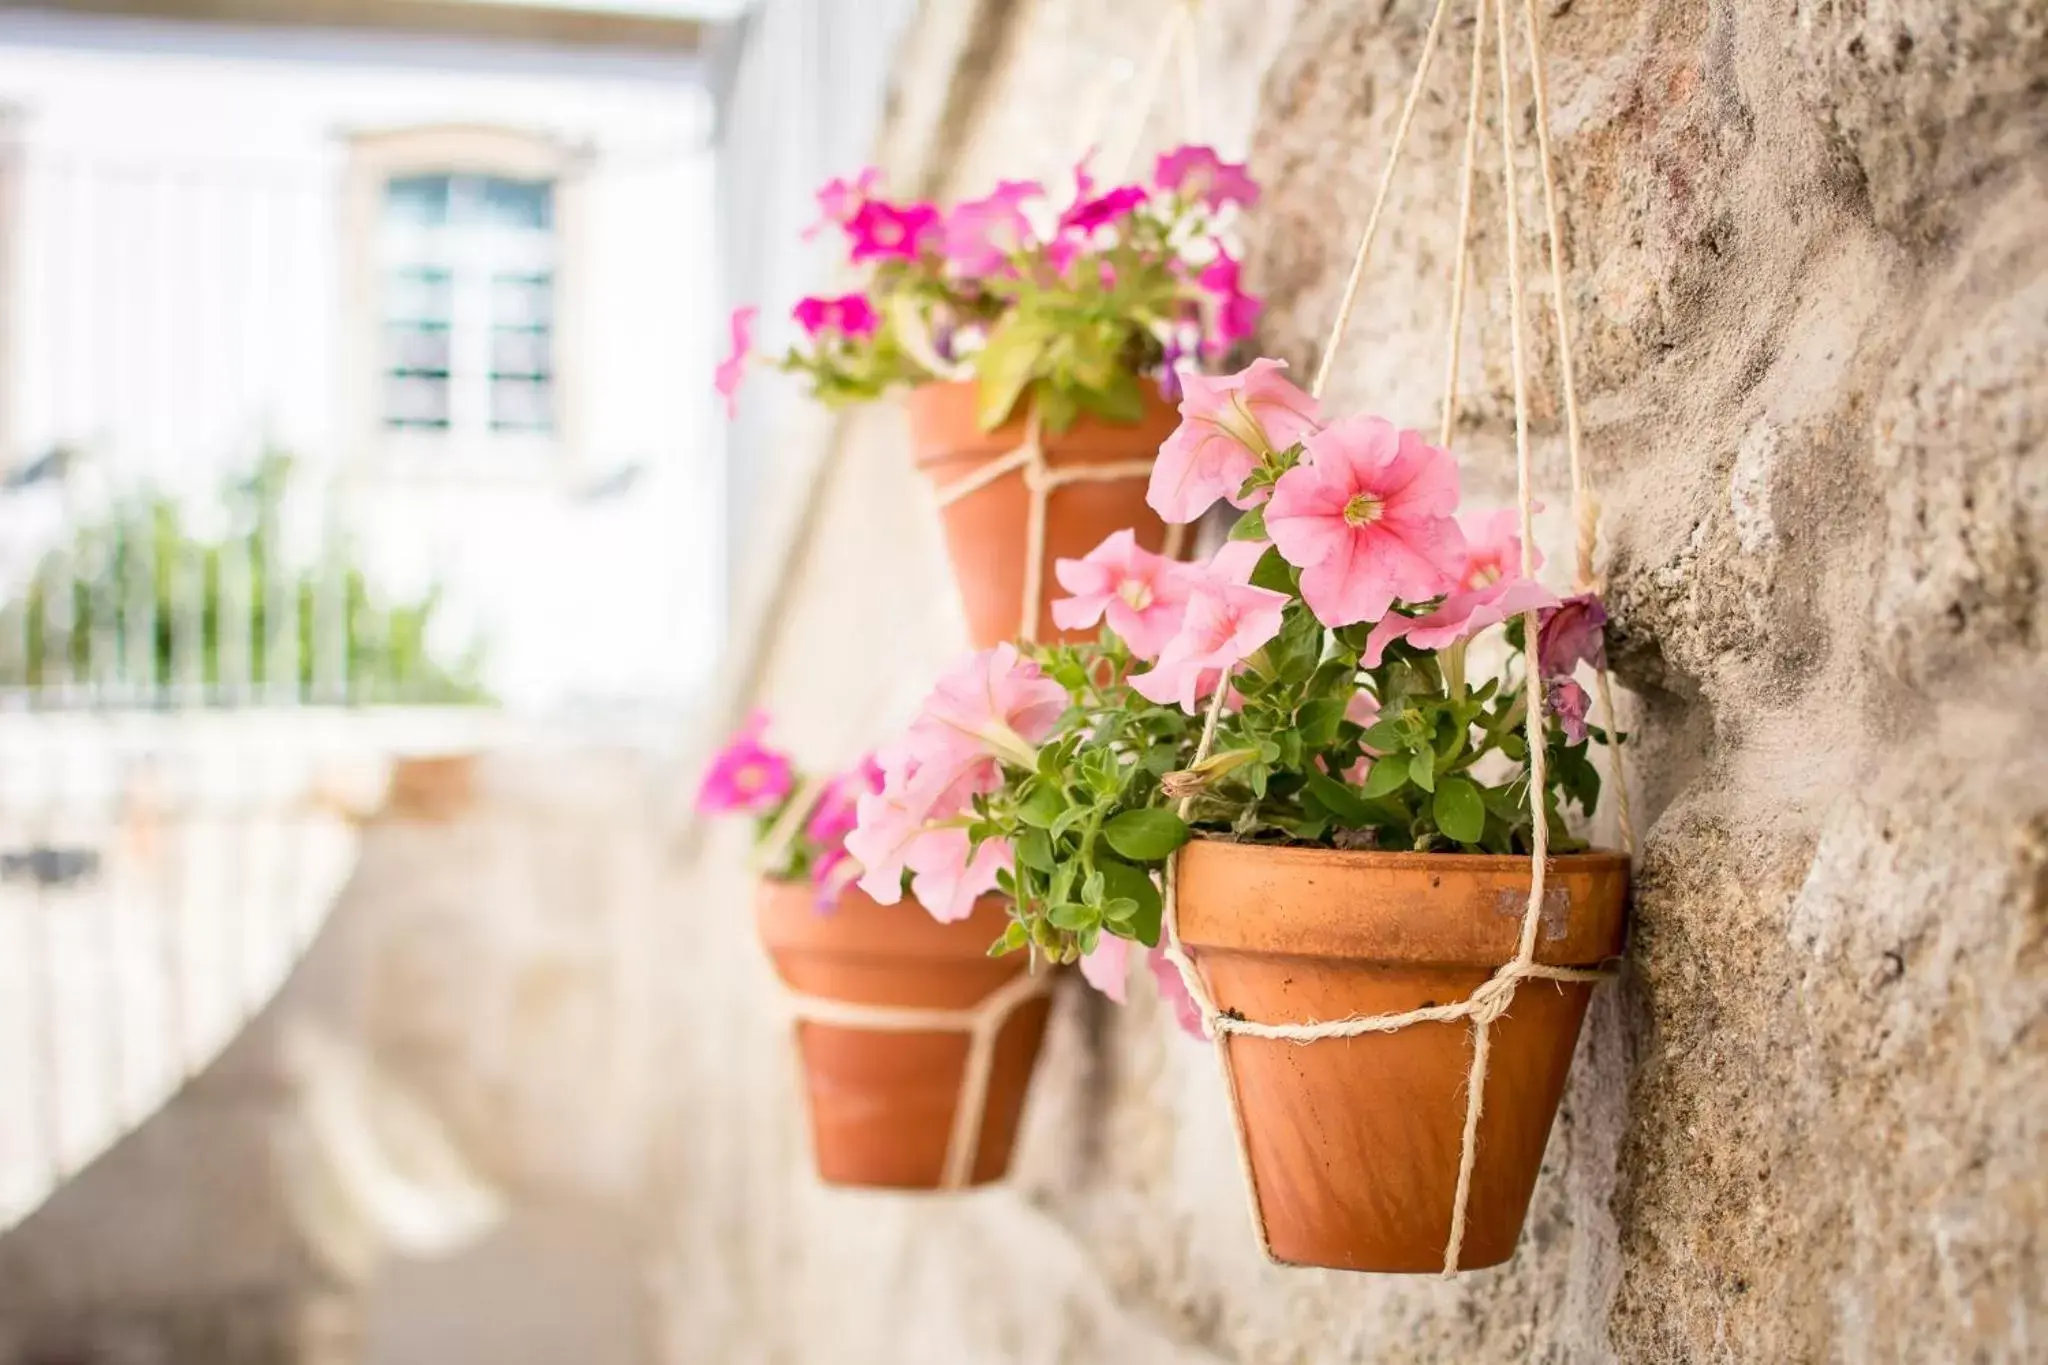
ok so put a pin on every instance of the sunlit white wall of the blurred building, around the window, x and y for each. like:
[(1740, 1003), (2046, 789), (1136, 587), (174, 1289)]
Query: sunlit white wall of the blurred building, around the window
[(177, 308)]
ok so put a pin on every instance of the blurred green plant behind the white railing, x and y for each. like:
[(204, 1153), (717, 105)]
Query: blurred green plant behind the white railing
[(148, 539)]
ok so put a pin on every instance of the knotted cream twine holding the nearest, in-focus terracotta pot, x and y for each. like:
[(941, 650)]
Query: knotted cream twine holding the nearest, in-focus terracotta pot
[(1494, 998)]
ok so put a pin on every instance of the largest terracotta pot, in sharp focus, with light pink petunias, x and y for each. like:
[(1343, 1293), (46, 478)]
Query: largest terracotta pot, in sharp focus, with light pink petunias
[(1355, 1141)]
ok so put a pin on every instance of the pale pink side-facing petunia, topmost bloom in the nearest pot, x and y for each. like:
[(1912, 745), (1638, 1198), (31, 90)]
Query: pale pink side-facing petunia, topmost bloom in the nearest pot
[(1228, 425)]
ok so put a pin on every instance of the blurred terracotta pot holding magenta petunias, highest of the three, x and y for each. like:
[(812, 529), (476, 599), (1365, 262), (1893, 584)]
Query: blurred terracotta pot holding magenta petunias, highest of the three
[(986, 531)]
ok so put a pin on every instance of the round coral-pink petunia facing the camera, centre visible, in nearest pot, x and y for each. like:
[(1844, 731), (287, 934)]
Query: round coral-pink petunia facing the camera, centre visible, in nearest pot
[(1367, 519)]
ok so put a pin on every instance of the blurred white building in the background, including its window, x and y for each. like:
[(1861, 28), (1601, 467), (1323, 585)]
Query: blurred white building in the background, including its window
[(464, 281)]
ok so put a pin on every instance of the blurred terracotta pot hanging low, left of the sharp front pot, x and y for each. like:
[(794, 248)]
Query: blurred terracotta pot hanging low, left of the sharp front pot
[(884, 1102)]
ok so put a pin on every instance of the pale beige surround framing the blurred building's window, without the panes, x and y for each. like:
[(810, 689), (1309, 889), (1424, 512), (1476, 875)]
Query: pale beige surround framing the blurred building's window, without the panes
[(376, 159)]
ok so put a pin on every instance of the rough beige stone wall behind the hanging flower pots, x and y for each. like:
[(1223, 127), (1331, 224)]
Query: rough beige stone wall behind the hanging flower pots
[(1811, 292)]
